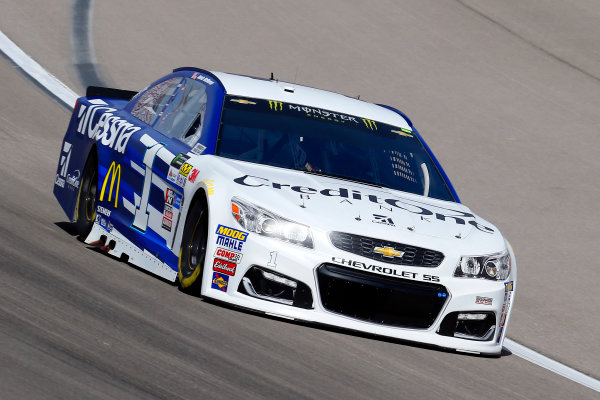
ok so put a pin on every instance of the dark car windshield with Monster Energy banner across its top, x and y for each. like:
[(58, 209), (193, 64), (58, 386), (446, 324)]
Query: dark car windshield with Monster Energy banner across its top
[(327, 143)]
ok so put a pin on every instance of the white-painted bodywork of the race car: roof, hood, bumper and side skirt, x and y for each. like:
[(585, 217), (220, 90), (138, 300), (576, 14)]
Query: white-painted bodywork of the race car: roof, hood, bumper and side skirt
[(326, 205)]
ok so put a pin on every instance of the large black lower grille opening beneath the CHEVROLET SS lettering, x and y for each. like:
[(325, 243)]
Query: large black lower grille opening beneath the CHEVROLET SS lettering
[(380, 299)]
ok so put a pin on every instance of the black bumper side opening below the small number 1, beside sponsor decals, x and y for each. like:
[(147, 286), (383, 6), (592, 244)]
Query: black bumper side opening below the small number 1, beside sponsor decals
[(273, 286)]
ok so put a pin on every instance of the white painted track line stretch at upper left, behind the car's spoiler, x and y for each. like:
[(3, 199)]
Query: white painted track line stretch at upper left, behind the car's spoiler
[(36, 71)]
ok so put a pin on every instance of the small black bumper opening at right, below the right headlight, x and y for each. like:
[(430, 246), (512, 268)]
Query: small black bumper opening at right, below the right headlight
[(461, 325)]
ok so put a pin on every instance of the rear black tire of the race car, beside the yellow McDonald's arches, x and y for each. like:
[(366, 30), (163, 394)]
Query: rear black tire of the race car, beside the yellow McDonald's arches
[(86, 200)]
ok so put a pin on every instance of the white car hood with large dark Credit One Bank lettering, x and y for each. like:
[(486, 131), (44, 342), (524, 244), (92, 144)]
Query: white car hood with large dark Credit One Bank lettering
[(332, 204)]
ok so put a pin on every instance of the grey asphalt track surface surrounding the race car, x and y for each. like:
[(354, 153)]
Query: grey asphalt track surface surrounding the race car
[(506, 94)]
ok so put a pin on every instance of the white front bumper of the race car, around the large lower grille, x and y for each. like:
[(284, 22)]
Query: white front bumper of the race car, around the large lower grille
[(418, 306)]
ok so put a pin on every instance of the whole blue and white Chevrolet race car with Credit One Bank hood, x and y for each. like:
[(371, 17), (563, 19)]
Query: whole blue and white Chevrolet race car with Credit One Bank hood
[(287, 200)]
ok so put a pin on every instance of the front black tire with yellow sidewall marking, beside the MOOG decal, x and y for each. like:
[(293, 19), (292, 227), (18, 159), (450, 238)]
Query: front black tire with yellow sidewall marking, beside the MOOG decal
[(193, 247)]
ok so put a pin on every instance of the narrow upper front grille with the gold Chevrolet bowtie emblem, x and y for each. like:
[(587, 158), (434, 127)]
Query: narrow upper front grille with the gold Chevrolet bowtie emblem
[(364, 246)]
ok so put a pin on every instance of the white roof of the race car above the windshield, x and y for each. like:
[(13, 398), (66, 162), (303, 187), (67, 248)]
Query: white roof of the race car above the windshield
[(271, 89)]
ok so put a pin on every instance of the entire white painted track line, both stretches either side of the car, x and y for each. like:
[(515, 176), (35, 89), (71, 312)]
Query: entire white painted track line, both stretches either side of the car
[(67, 96)]
